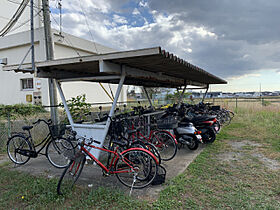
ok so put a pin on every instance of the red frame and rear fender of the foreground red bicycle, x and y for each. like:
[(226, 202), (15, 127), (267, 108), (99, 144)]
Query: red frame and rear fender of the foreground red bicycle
[(114, 158)]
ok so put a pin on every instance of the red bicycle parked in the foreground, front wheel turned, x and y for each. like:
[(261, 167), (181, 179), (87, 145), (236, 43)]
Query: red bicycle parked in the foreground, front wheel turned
[(134, 167)]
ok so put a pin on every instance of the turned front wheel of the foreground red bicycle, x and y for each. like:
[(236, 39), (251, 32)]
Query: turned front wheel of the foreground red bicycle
[(70, 175)]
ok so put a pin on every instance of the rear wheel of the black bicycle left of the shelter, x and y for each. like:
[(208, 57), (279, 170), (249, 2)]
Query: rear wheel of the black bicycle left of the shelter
[(17, 144)]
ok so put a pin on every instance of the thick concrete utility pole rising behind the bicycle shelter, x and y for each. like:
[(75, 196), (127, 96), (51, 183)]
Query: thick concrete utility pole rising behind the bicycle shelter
[(50, 56)]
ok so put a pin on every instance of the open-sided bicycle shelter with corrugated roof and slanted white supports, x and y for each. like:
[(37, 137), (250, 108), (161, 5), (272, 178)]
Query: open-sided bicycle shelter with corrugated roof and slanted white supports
[(151, 67)]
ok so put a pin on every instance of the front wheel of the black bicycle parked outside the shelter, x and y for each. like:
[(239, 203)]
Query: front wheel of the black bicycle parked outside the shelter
[(59, 152)]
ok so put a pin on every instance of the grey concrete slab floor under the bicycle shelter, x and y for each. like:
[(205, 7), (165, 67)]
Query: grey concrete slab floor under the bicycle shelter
[(92, 175)]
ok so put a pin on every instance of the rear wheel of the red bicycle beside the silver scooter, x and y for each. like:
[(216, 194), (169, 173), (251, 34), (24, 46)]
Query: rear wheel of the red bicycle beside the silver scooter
[(165, 143)]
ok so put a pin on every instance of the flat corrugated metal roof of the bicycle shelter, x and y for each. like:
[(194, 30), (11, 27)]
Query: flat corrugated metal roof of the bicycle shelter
[(148, 67)]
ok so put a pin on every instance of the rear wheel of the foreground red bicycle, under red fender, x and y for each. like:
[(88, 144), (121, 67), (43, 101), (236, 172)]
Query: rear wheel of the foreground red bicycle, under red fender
[(144, 165)]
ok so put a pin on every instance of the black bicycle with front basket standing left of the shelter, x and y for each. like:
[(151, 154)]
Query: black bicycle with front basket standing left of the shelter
[(21, 147)]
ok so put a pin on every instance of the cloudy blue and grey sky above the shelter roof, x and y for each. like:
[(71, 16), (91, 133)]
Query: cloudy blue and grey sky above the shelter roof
[(238, 40)]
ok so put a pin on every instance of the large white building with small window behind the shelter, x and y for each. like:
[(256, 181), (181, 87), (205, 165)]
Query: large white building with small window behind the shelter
[(24, 88)]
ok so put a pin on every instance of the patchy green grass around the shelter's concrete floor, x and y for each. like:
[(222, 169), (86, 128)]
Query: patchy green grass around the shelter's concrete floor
[(228, 174)]
